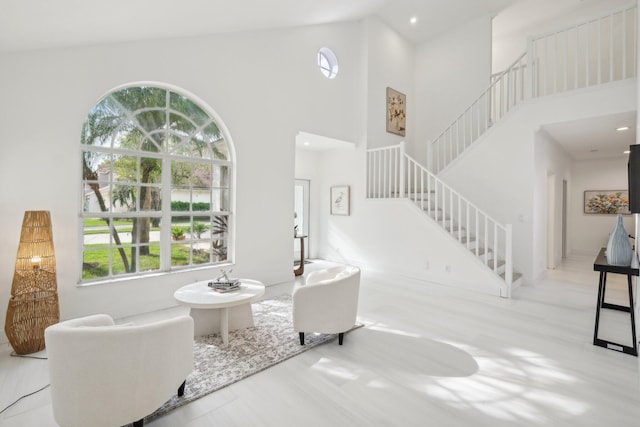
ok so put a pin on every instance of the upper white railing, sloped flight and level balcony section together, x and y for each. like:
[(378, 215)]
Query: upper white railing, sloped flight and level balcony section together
[(594, 52)]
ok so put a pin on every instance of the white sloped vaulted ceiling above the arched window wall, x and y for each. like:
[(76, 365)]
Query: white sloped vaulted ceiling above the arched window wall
[(38, 24)]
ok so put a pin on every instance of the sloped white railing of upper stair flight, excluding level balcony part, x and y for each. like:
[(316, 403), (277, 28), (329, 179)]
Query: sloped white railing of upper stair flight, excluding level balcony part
[(504, 93)]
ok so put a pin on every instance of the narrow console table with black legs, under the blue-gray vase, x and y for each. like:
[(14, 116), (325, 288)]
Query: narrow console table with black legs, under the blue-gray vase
[(601, 265)]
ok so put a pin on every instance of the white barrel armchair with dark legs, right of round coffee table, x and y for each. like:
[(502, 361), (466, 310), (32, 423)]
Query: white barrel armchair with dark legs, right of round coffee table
[(327, 302)]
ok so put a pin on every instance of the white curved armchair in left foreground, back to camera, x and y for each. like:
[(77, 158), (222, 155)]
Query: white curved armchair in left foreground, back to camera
[(111, 375)]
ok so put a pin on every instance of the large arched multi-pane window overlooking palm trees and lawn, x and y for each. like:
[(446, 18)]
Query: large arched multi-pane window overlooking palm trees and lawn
[(156, 185)]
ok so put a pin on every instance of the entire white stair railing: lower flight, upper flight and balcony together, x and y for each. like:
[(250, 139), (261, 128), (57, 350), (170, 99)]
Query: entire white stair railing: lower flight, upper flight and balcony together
[(597, 51)]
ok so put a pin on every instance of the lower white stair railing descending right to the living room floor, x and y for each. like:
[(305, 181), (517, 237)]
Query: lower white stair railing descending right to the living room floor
[(391, 173)]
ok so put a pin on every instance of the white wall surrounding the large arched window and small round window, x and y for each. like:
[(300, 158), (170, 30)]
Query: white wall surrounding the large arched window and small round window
[(265, 86)]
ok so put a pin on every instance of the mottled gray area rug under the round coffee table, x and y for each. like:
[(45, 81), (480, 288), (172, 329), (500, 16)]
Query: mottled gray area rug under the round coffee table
[(251, 350)]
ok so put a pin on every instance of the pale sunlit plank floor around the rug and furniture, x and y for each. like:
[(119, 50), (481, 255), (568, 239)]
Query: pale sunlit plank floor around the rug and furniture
[(428, 356)]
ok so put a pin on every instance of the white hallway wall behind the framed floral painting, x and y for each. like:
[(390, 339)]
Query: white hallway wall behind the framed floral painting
[(590, 232)]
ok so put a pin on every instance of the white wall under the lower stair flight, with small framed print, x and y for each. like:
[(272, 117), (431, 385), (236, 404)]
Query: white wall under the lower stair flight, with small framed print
[(392, 237)]
